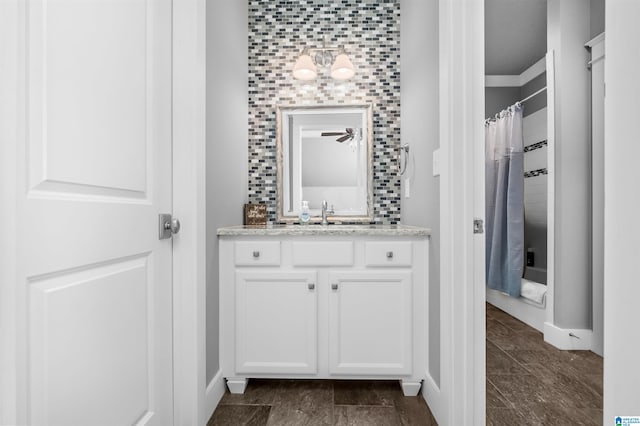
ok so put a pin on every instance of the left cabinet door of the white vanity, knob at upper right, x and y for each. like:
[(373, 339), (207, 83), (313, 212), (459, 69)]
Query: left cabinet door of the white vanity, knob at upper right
[(276, 322)]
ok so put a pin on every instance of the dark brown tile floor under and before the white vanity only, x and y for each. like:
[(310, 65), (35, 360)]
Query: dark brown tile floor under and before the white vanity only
[(322, 402)]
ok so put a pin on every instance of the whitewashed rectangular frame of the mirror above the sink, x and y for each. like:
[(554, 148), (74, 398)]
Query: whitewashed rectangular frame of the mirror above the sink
[(367, 110)]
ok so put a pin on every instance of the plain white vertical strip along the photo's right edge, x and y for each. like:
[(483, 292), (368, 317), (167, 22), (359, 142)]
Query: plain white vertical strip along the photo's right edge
[(622, 207)]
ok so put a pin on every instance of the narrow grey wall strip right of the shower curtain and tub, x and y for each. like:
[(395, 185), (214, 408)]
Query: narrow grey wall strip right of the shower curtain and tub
[(568, 29)]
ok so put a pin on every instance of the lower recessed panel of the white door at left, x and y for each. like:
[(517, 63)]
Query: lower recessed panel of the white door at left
[(67, 357)]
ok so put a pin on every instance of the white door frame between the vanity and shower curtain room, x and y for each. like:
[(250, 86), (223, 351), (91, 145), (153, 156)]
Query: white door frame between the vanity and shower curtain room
[(462, 288)]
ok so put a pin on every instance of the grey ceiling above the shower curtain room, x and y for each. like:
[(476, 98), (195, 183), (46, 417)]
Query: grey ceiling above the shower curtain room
[(515, 35)]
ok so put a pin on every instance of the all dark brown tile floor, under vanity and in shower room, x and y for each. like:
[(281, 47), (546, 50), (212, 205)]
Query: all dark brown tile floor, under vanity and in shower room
[(529, 382)]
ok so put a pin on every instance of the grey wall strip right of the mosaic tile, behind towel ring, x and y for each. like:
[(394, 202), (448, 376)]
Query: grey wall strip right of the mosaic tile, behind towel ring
[(420, 129)]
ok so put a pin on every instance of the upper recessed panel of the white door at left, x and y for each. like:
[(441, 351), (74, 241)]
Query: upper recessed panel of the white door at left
[(90, 64)]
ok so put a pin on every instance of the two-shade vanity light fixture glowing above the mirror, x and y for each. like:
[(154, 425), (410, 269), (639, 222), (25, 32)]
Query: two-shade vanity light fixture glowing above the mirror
[(310, 58)]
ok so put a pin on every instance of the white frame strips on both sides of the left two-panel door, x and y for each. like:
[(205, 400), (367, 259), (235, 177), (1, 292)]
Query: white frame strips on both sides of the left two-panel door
[(189, 54)]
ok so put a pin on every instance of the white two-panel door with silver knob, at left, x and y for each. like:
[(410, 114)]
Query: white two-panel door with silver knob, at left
[(94, 171)]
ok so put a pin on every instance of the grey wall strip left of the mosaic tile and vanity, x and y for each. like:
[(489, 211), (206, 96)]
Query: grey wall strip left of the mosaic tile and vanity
[(227, 133)]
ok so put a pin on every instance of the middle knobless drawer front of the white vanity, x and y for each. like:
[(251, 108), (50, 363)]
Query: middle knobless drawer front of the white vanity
[(322, 253)]
